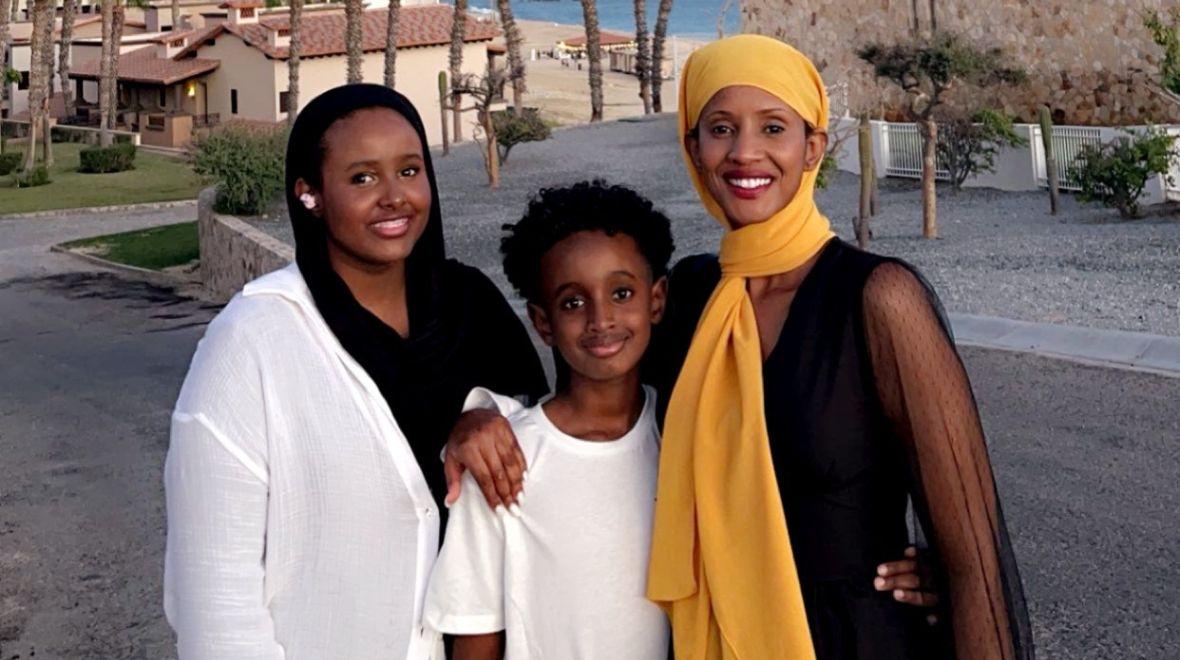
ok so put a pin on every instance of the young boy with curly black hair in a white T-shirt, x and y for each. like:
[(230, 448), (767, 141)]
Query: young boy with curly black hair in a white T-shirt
[(563, 576)]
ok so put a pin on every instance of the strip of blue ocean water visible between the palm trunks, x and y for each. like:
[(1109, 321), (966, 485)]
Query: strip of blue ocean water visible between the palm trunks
[(689, 18)]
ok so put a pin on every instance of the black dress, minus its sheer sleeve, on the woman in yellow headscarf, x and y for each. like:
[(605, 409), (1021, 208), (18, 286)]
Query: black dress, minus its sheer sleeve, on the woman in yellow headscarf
[(844, 465)]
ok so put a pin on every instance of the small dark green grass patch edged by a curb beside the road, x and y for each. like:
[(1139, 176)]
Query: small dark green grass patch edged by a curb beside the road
[(156, 249)]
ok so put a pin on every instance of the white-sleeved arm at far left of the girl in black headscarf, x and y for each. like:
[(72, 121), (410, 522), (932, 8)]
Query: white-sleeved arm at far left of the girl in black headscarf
[(217, 487)]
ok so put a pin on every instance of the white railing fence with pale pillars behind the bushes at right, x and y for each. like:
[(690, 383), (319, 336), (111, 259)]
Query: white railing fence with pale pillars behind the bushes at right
[(897, 152)]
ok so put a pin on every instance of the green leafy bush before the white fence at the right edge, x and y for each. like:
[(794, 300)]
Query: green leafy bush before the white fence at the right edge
[(1116, 174)]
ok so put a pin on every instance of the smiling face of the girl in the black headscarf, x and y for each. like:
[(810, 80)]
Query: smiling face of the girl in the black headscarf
[(375, 194)]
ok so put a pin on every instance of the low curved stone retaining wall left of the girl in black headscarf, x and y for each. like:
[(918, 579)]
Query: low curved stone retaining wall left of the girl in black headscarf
[(233, 252)]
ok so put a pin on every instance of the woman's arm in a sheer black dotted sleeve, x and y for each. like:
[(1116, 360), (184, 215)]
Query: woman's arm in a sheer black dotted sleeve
[(926, 393)]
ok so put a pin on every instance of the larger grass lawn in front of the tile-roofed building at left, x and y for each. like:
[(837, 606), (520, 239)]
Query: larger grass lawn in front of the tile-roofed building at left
[(156, 179)]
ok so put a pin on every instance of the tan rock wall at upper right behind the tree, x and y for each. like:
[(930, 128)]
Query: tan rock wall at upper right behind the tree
[(1090, 61)]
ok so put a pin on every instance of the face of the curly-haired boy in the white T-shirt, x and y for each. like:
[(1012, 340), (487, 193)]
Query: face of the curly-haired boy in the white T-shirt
[(598, 304)]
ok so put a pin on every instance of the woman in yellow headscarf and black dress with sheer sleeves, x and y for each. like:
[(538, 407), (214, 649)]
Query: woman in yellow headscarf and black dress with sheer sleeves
[(815, 390)]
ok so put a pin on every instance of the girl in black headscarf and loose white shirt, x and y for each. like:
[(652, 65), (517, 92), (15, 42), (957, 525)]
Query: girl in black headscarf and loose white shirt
[(304, 476)]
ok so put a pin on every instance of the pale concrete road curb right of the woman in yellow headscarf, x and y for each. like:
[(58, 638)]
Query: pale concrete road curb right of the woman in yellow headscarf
[(1152, 354)]
